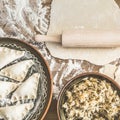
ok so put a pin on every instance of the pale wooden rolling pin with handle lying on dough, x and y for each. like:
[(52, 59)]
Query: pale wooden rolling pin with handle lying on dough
[(84, 38)]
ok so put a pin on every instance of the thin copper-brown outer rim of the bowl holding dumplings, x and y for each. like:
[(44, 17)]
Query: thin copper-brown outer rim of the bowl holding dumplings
[(48, 69)]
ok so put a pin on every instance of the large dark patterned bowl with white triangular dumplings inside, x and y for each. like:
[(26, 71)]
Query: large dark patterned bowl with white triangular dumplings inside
[(25, 82)]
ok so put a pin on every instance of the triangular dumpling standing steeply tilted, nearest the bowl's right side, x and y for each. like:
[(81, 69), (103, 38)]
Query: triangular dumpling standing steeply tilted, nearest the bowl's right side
[(28, 89)]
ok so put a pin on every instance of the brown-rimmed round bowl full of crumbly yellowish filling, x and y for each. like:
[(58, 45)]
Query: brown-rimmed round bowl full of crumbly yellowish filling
[(89, 96)]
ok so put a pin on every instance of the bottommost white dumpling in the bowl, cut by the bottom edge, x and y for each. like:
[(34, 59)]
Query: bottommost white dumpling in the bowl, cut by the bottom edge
[(17, 112)]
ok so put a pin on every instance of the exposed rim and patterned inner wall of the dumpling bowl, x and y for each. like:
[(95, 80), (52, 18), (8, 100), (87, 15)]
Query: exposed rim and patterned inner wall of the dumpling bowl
[(44, 94)]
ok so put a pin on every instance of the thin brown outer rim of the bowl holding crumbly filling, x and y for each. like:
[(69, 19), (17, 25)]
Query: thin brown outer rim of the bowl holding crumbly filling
[(79, 76)]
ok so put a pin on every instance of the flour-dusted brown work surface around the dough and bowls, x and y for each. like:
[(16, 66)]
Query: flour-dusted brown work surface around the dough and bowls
[(23, 19)]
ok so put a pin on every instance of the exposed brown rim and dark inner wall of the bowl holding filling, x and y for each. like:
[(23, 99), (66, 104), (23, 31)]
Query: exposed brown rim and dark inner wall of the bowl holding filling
[(68, 86)]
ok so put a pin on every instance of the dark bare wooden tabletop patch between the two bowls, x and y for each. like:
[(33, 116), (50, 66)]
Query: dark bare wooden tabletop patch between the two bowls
[(52, 112)]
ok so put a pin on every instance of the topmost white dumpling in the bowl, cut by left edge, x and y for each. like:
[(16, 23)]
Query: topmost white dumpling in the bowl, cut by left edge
[(7, 55)]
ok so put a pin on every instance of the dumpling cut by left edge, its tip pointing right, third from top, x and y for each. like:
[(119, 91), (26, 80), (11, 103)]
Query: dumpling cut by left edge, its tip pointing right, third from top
[(6, 88)]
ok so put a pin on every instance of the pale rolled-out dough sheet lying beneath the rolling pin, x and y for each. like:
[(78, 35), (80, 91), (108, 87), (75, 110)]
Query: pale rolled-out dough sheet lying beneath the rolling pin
[(84, 14)]
